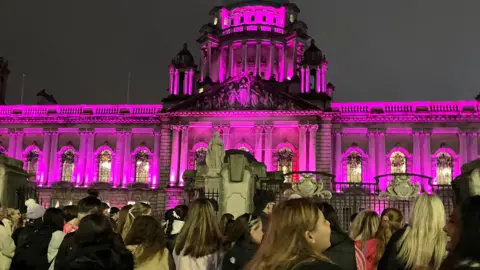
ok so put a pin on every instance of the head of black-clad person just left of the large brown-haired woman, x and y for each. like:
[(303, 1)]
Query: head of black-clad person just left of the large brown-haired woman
[(241, 227)]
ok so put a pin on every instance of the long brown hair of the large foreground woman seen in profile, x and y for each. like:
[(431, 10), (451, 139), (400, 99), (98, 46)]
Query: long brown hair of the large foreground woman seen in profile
[(286, 232)]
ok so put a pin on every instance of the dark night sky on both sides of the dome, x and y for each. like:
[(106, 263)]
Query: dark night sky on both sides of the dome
[(82, 50)]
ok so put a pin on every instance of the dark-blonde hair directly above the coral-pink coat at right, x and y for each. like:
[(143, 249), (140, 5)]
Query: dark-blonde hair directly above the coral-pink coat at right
[(364, 226)]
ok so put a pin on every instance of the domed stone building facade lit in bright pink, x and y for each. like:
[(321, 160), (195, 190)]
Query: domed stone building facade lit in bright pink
[(261, 83)]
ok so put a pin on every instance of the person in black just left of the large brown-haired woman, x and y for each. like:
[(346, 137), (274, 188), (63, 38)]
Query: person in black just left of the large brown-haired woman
[(246, 234)]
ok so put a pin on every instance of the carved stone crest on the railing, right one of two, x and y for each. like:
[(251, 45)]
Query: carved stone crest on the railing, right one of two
[(401, 188)]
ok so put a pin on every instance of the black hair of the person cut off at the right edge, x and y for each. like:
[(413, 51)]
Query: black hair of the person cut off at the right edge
[(469, 230)]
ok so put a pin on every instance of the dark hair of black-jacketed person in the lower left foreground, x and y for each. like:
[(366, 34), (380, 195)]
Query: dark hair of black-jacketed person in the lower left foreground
[(94, 229)]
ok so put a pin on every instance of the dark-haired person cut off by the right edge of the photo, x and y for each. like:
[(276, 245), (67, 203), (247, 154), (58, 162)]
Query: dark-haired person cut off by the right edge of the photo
[(463, 231)]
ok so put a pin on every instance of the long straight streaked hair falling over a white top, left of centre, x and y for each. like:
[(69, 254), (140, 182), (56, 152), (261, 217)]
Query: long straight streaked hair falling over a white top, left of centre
[(200, 235)]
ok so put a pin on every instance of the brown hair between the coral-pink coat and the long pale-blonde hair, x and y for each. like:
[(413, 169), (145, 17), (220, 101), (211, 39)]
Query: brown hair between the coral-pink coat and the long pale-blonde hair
[(391, 221)]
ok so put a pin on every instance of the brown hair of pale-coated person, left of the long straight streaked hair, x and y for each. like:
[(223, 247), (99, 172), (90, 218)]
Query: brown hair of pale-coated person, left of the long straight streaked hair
[(147, 234)]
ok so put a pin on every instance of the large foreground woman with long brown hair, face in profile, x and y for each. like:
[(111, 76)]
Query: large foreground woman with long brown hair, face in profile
[(296, 239)]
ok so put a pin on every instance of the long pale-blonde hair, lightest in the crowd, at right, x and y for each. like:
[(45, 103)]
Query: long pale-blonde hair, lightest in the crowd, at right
[(424, 242)]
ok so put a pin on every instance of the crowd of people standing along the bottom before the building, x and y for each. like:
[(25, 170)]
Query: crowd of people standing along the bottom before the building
[(295, 234)]
